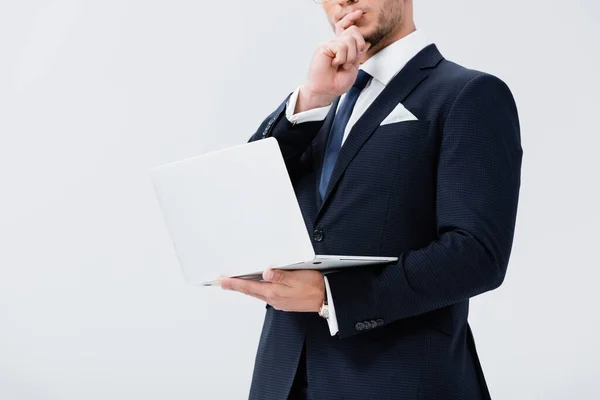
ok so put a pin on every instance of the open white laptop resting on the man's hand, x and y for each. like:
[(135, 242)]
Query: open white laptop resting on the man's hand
[(233, 212)]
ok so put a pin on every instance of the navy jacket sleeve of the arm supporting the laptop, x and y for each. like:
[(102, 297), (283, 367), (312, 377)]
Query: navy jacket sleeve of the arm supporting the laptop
[(478, 181)]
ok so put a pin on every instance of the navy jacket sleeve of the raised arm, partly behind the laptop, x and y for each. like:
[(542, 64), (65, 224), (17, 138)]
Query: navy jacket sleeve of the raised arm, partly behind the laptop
[(293, 138)]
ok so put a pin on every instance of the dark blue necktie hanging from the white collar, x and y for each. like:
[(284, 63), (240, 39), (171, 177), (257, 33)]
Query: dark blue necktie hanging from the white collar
[(337, 129)]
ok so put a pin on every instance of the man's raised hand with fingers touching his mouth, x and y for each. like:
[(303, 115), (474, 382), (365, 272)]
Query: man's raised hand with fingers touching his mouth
[(334, 66)]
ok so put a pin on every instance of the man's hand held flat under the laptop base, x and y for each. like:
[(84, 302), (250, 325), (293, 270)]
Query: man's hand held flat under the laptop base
[(299, 291)]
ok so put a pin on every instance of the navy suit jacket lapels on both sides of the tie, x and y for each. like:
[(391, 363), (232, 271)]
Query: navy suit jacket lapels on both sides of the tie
[(415, 71)]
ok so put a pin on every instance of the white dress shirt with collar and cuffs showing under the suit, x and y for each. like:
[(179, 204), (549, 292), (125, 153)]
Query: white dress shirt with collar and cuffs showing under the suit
[(383, 66)]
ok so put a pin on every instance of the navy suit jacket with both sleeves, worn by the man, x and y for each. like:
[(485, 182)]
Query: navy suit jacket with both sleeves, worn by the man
[(441, 194)]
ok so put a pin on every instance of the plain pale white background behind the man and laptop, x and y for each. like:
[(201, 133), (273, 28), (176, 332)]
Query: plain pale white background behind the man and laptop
[(94, 93)]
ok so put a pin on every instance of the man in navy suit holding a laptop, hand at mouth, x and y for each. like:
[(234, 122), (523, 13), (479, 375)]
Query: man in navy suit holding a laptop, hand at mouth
[(392, 151)]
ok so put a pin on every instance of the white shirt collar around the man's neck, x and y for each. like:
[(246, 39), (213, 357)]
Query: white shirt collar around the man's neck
[(387, 62)]
